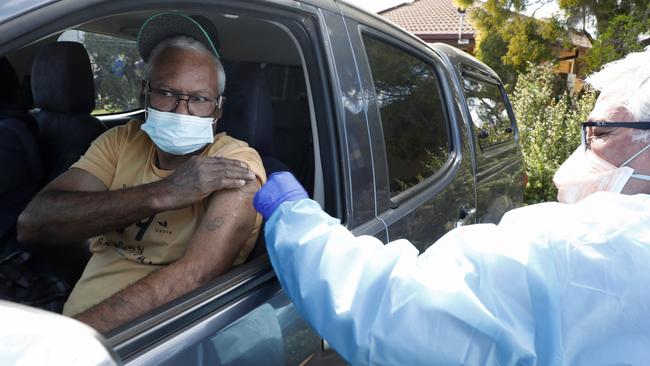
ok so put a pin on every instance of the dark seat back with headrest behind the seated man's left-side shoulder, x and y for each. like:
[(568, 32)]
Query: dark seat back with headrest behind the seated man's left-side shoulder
[(64, 94)]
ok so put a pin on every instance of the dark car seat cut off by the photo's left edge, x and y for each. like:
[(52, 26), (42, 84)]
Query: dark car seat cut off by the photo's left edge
[(23, 277)]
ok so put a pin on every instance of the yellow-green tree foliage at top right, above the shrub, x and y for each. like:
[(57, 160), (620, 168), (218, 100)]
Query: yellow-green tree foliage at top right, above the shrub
[(507, 41)]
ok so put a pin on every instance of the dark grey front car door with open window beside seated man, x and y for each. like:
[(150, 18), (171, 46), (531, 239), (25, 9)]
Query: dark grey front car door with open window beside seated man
[(243, 317)]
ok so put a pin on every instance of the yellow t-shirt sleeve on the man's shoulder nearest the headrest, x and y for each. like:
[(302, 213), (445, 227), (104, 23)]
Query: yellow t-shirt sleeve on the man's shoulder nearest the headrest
[(101, 157)]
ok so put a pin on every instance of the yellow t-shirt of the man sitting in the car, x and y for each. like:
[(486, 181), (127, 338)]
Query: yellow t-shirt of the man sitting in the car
[(124, 157)]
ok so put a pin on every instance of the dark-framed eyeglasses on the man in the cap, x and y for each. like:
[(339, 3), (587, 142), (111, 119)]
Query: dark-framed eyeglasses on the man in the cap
[(167, 101)]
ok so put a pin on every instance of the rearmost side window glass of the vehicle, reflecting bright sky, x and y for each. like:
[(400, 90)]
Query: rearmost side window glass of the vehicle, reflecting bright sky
[(488, 111)]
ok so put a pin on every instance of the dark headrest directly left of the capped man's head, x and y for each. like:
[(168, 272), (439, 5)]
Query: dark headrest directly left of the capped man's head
[(62, 79)]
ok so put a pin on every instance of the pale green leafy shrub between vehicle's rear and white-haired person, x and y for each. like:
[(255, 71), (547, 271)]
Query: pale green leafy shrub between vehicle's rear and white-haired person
[(549, 127)]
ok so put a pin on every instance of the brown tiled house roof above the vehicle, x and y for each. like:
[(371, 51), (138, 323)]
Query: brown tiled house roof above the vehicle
[(429, 17)]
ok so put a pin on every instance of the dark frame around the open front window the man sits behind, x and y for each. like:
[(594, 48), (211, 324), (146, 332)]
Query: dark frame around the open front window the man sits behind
[(227, 287)]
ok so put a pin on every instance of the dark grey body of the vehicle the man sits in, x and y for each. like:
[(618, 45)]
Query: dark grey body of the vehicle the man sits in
[(409, 151)]
